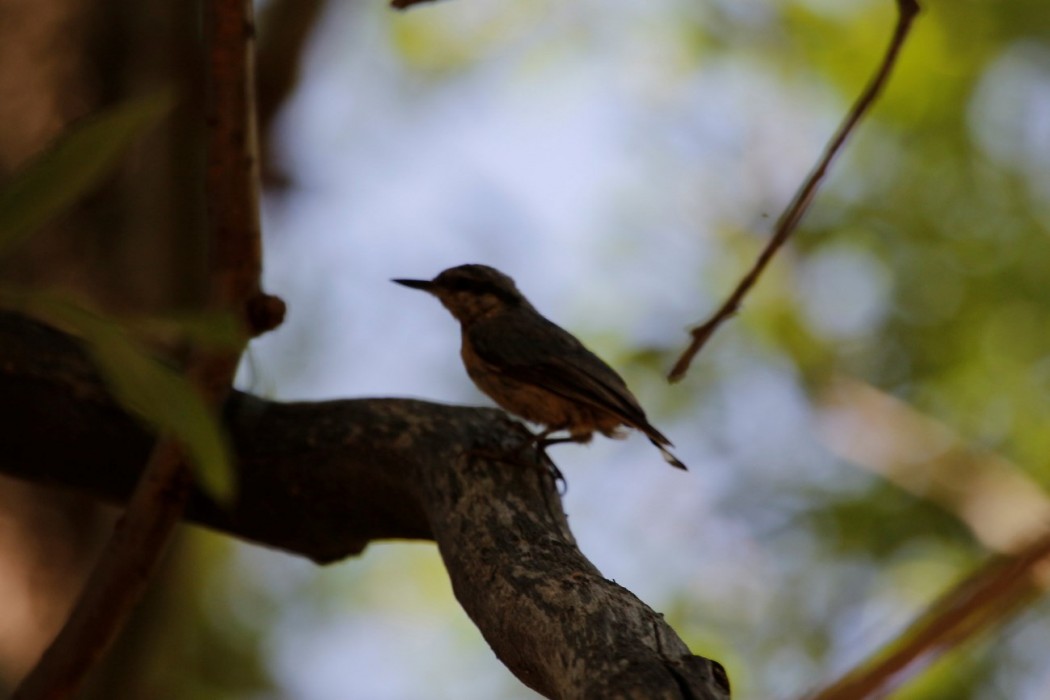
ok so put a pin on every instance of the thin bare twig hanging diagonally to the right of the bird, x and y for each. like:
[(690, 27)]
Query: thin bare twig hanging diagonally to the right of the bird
[(793, 215)]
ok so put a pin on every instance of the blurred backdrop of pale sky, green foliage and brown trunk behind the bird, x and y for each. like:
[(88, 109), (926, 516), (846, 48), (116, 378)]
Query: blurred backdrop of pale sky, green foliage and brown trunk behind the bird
[(866, 433)]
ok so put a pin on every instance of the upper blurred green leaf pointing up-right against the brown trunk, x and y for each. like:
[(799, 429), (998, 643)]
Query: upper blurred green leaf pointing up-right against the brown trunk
[(74, 165)]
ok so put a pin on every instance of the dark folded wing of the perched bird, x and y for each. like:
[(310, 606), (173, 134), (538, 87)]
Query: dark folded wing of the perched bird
[(545, 355)]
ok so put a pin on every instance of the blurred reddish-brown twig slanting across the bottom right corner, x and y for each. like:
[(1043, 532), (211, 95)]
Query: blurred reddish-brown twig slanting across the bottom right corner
[(990, 597)]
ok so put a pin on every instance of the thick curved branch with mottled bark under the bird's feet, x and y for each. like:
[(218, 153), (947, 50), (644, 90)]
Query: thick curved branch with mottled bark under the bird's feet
[(324, 480)]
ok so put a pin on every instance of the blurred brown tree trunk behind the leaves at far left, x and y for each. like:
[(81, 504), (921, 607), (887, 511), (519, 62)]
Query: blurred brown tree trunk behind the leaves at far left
[(137, 245)]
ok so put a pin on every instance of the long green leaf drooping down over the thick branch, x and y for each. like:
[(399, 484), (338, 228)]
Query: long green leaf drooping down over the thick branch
[(142, 385)]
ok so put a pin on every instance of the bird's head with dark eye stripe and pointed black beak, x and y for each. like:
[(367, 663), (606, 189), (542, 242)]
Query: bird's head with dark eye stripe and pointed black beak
[(472, 292)]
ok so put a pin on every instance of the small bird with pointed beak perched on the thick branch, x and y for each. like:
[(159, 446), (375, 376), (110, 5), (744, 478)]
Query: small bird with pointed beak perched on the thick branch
[(533, 368)]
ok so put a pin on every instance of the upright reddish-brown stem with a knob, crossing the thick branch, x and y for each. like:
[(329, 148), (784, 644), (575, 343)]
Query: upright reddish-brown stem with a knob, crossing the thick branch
[(140, 540)]
